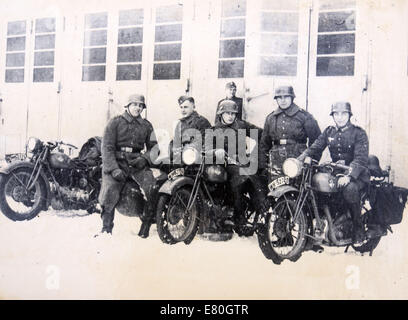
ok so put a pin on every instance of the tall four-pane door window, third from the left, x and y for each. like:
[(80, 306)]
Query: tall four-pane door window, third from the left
[(95, 40)]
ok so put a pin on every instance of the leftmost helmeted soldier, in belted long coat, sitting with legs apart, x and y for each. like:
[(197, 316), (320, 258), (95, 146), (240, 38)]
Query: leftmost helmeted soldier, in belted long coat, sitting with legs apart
[(124, 138)]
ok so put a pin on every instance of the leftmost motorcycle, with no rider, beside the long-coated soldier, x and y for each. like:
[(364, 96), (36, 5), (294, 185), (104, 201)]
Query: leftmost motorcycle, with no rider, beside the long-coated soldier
[(49, 177)]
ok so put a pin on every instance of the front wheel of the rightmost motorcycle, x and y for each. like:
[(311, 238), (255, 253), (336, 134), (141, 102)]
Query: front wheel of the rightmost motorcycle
[(281, 237)]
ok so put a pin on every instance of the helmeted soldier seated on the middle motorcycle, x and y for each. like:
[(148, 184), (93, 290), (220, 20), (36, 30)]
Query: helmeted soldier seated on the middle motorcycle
[(239, 180)]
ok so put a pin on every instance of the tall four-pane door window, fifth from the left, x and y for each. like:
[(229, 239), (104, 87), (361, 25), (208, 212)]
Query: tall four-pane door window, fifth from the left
[(168, 42)]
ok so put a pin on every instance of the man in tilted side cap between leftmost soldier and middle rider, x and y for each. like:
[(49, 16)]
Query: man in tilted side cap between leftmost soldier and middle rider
[(189, 125)]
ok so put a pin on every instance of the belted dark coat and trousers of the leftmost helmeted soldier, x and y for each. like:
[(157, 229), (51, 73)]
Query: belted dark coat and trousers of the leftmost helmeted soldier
[(123, 140)]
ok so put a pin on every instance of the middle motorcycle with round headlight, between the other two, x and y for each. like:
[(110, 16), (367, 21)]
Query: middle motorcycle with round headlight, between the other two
[(197, 198)]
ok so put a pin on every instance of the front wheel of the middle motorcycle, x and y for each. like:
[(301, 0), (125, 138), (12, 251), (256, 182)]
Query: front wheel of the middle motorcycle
[(174, 223)]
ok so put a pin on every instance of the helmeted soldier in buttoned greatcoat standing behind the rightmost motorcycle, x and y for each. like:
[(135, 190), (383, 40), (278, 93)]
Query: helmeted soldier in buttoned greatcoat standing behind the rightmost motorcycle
[(287, 130)]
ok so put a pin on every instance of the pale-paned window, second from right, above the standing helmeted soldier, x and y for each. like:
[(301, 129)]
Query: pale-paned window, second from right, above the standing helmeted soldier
[(279, 38)]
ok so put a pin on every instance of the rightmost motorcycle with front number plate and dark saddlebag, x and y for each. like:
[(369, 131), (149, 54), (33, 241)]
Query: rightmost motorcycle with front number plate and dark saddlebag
[(307, 209)]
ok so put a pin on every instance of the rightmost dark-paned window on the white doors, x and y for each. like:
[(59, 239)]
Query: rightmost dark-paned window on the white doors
[(336, 38)]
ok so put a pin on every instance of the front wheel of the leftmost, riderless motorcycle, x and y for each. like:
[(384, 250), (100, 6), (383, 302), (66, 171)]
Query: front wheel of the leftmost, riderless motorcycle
[(10, 187)]
